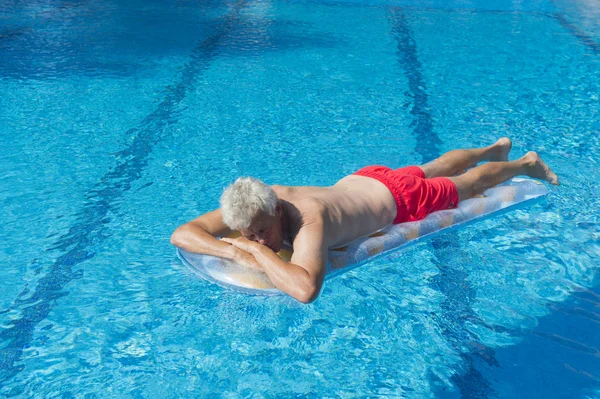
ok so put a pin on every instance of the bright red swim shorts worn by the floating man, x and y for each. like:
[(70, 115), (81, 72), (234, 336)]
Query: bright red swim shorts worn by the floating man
[(415, 195)]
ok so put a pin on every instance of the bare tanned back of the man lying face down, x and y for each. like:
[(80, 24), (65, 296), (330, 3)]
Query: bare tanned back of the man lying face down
[(354, 207)]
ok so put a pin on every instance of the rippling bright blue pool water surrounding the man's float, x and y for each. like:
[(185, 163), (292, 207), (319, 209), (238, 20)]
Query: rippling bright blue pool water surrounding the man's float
[(121, 120)]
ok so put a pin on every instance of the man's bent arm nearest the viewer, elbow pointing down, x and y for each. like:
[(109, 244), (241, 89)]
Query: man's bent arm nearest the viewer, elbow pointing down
[(302, 277)]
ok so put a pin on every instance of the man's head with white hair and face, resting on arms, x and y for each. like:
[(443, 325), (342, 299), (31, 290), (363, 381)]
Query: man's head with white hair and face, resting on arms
[(251, 207)]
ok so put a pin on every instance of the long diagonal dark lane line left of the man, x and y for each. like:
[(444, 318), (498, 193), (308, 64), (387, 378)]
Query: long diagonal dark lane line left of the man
[(90, 228)]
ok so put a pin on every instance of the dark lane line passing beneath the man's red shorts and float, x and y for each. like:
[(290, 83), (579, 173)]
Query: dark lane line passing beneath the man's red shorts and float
[(450, 282)]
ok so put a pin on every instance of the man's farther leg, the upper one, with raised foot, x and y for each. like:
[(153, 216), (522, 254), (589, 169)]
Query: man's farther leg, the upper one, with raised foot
[(457, 161)]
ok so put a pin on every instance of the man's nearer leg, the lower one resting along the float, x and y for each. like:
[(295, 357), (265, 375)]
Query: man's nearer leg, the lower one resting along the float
[(479, 179)]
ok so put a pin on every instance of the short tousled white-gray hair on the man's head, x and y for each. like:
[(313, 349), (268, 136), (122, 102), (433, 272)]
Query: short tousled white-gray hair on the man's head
[(242, 201)]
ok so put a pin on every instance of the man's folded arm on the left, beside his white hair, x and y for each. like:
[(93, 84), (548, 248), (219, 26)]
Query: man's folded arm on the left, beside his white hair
[(199, 236)]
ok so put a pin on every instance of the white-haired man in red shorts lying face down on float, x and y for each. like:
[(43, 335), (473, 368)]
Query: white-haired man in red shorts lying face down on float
[(316, 219)]
